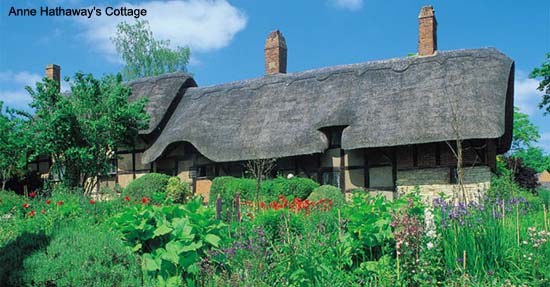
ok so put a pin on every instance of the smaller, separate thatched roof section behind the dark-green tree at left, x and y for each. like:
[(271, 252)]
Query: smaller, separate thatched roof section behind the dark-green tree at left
[(164, 93)]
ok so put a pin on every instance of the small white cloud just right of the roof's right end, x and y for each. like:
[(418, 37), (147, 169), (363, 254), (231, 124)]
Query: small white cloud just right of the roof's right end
[(526, 95)]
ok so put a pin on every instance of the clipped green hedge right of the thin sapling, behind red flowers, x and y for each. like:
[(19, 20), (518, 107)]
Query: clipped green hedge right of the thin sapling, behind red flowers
[(296, 187)]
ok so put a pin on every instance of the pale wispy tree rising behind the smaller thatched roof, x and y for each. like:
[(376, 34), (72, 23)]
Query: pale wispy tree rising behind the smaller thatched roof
[(143, 55)]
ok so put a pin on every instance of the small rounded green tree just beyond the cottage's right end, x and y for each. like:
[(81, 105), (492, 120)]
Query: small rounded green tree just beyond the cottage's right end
[(525, 133)]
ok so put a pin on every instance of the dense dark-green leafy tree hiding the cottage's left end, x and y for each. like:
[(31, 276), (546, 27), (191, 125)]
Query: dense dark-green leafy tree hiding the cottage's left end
[(82, 130)]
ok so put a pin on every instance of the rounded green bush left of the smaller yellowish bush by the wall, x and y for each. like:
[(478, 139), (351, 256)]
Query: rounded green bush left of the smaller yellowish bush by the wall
[(147, 185)]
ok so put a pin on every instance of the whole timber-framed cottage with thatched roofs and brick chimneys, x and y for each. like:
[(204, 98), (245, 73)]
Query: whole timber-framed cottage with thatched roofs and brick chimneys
[(386, 126)]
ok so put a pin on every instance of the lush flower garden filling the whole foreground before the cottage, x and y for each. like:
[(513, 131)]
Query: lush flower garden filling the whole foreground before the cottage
[(155, 233)]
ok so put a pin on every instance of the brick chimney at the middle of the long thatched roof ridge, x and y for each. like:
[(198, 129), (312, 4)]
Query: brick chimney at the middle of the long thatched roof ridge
[(275, 53)]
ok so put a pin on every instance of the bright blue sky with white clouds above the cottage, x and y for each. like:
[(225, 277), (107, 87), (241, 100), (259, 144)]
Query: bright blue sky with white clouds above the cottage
[(227, 38)]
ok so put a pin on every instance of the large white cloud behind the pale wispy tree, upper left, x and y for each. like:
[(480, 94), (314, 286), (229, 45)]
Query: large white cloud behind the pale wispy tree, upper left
[(203, 25)]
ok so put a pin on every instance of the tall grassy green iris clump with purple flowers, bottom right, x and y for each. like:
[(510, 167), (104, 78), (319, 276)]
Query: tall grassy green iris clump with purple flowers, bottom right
[(490, 240)]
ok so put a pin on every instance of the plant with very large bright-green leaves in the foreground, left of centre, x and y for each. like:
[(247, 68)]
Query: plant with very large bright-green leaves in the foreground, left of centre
[(172, 239)]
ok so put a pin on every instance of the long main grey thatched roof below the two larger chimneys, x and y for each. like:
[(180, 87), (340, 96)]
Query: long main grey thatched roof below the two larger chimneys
[(382, 103)]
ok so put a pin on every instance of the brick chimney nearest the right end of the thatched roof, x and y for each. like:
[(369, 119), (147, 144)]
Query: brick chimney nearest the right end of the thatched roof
[(427, 31)]
